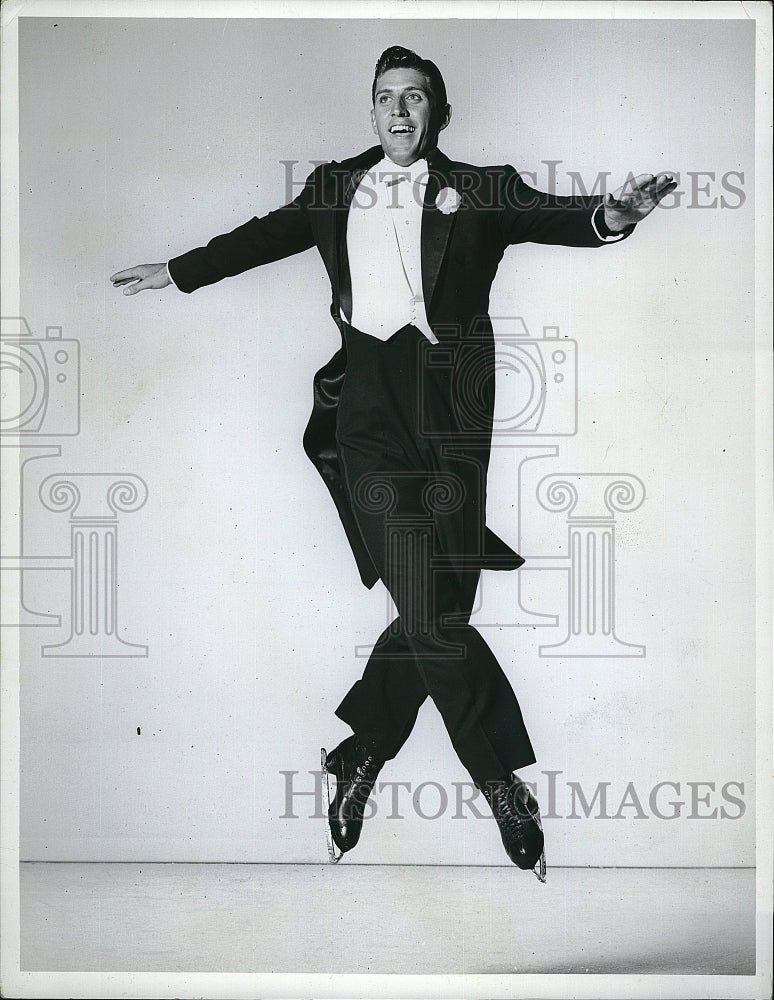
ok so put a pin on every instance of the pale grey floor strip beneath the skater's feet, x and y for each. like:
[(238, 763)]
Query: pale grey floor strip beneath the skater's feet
[(384, 919)]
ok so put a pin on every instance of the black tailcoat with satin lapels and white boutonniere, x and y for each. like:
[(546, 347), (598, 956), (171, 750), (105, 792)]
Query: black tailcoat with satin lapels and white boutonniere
[(461, 251)]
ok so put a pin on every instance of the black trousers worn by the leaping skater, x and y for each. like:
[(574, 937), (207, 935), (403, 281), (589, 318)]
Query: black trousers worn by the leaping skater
[(419, 503)]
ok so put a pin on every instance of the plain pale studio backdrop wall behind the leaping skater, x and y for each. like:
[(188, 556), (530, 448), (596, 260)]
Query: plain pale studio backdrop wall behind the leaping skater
[(141, 138)]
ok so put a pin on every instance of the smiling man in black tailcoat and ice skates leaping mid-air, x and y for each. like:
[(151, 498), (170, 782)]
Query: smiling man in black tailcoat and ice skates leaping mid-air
[(402, 418)]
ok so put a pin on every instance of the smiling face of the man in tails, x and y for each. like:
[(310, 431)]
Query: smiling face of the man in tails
[(402, 116)]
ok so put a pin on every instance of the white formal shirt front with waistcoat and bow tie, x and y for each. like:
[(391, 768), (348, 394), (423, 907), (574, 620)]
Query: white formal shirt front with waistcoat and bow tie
[(384, 246)]
